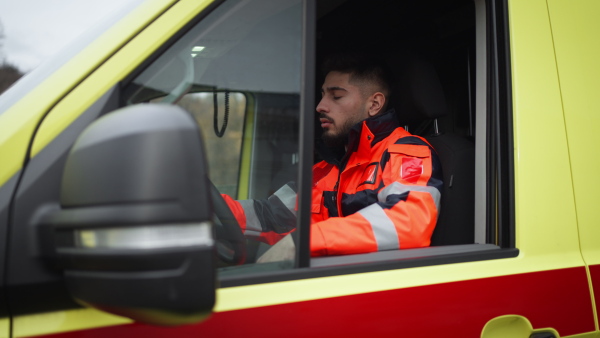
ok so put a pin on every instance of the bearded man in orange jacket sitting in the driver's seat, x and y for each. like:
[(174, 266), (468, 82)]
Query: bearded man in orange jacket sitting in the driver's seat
[(378, 187)]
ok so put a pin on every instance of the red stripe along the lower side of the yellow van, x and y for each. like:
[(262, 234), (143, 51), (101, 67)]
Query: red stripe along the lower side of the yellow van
[(558, 298)]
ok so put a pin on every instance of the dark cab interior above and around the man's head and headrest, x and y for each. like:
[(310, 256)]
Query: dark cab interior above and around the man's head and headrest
[(439, 32)]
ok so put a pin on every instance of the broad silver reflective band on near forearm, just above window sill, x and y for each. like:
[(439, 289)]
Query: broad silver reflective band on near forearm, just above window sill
[(384, 230)]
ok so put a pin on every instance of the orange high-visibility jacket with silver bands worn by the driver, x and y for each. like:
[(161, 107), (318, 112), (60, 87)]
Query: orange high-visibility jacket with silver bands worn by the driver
[(384, 194)]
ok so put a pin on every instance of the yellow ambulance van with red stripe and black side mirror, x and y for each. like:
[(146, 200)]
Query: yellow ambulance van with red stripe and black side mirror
[(114, 155)]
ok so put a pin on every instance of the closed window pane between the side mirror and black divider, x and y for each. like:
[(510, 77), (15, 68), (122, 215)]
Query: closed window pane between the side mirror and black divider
[(237, 72)]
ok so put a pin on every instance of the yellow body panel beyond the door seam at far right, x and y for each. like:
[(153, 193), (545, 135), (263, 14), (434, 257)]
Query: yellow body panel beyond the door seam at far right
[(575, 28)]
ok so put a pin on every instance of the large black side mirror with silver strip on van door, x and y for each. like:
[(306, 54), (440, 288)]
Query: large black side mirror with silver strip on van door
[(134, 235)]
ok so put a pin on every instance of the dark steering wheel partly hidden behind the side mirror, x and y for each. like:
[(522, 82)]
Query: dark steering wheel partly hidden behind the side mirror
[(231, 243)]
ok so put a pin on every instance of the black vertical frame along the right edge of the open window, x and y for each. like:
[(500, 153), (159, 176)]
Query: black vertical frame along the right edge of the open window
[(500, 184)]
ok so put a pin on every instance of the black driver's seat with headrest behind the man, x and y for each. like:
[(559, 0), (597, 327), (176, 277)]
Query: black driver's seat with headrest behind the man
[(420, 97)]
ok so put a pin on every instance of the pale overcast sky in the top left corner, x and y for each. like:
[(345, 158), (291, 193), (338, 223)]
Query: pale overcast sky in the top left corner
[(36, 29)]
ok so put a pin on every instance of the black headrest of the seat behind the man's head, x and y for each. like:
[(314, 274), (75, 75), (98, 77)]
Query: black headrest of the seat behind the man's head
[(418, 93)]
